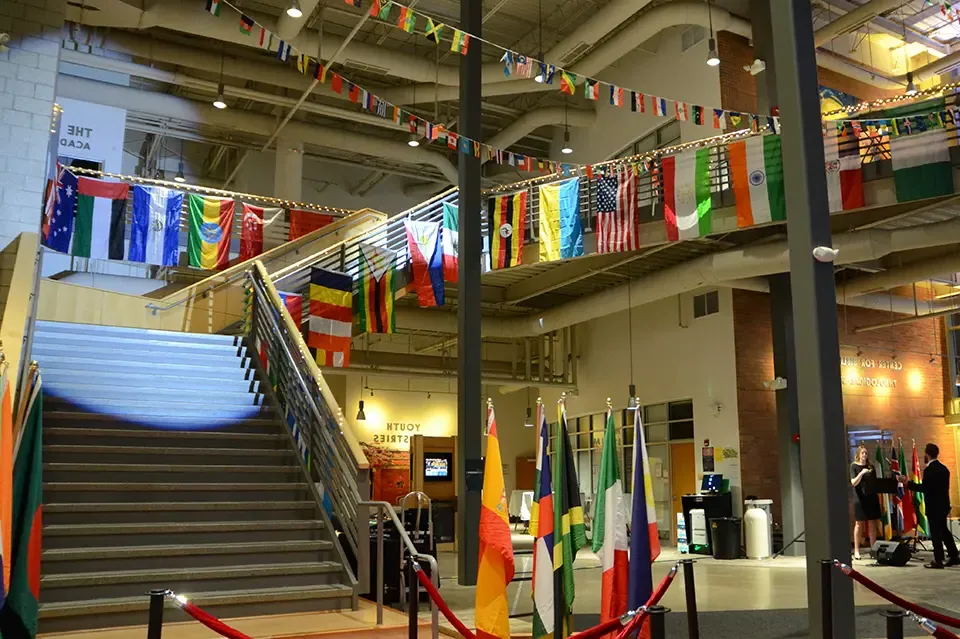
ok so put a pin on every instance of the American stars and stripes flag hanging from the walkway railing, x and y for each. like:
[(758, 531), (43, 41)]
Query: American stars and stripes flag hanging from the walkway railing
[(617, 212)]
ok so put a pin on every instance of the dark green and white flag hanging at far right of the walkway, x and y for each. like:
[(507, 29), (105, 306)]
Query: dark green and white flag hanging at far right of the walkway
[(920, 155)]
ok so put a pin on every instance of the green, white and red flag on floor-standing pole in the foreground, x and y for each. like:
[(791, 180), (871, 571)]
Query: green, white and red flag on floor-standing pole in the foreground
[(610, 528)]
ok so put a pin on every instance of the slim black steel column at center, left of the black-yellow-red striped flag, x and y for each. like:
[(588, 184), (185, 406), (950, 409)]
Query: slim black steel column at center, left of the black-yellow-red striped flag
[(469, 390)]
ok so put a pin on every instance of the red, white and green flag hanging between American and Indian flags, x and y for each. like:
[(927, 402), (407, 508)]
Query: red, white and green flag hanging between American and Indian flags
[(686, 194)]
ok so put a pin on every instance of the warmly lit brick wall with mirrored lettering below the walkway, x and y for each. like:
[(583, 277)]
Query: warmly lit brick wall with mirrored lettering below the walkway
[(912, 410)]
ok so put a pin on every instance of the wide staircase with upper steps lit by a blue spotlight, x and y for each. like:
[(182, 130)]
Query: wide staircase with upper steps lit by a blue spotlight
[(164, 467)]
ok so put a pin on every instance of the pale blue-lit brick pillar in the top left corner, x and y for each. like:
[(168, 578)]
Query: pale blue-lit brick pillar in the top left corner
[(28, 75)]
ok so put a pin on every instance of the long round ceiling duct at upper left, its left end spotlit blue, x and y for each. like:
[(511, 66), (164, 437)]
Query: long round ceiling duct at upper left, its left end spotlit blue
[(164, 105)]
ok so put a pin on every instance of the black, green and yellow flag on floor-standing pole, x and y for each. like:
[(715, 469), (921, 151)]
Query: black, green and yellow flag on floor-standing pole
[(568, 520)]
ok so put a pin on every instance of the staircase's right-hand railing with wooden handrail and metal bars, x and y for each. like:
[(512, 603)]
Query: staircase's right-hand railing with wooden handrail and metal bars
[(328, 448)]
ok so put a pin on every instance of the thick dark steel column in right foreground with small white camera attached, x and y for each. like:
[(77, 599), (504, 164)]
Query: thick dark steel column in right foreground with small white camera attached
[(820, 403)]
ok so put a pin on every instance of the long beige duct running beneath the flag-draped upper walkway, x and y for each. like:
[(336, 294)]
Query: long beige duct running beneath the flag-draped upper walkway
[(708, 270)]
